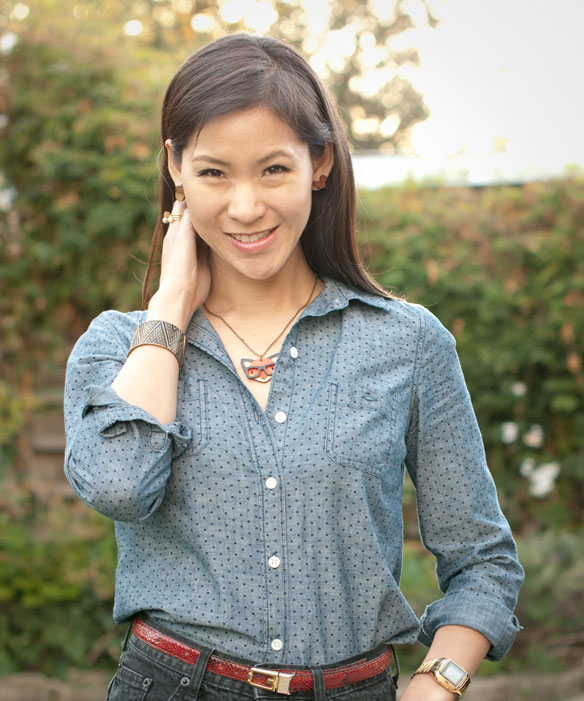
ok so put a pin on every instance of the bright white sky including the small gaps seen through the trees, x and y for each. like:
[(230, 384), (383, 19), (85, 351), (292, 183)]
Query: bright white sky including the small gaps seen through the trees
[(502, 78)]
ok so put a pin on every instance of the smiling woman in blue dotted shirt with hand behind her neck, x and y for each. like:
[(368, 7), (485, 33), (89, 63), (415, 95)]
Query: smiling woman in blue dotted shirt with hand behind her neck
[(256, 483)]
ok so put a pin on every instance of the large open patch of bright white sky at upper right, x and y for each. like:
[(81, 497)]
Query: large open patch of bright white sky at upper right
[(503, 76)]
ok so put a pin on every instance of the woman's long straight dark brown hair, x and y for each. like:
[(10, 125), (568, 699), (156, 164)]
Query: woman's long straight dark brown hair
[(241, 71)]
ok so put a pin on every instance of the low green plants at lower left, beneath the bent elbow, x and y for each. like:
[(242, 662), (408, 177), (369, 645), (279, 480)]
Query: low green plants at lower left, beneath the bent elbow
[(56, 583)]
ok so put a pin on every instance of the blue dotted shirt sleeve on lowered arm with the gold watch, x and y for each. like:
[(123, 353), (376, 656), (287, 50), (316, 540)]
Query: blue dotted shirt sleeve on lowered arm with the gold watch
[(460, 520)]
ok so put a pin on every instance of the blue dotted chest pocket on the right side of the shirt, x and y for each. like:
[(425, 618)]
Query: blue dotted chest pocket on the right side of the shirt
[(361, 430)]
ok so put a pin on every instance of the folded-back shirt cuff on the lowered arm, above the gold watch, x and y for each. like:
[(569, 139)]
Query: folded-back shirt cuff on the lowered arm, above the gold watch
[(488, 616)]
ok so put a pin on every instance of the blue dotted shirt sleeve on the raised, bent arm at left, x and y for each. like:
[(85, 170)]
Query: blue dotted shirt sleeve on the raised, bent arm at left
[(118, 456)]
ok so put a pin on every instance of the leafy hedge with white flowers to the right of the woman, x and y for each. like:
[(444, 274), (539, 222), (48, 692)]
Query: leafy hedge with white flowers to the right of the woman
[(502, 269)]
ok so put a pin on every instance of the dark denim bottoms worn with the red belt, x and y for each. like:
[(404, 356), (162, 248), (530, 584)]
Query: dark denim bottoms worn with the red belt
[(147, 674)]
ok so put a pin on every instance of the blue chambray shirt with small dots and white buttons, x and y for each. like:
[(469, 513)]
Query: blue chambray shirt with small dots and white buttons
[(278, 536)]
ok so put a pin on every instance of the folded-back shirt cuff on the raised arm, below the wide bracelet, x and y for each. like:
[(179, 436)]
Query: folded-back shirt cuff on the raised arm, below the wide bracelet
[(114, 412)]
